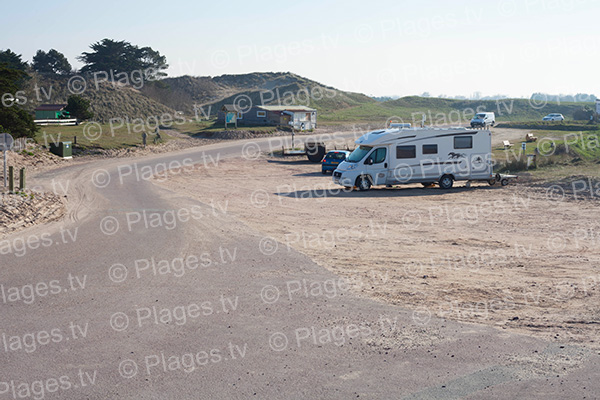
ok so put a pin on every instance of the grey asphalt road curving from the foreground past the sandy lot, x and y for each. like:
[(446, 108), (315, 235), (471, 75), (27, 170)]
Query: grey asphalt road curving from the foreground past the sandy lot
[(141, 293)]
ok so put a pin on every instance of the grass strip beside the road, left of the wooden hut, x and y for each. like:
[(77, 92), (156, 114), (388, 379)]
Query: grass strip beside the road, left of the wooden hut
[(97, 136)]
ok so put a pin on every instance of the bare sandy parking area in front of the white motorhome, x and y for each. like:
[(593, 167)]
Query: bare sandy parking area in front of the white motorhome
[(511, 257)]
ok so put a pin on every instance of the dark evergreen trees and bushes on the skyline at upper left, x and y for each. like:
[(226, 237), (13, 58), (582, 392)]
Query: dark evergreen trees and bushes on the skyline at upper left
[(106, 55)]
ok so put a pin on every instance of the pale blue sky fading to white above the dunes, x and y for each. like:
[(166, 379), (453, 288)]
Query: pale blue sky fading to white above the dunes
[(512, 47)]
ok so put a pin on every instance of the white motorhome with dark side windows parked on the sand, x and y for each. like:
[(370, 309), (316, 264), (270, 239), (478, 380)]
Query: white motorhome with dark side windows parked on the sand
[(418, 155)]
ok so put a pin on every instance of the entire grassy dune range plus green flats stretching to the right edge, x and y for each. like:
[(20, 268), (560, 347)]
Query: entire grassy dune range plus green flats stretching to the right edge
[(274, 88)]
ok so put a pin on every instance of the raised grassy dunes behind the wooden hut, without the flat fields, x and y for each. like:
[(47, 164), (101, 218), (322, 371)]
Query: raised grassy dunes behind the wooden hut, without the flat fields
[(169, 95)]
